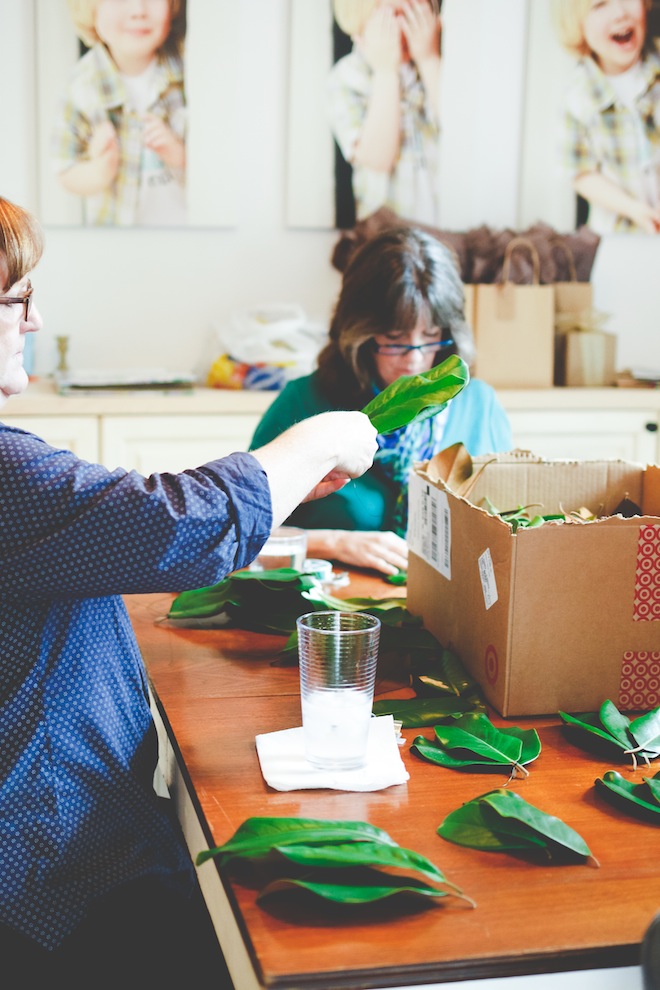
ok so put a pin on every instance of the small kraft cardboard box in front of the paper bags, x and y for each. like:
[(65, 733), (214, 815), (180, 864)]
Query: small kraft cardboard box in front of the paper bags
[(585, 357)]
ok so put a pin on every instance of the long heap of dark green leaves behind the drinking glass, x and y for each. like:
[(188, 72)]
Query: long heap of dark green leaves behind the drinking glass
[(271, 601)]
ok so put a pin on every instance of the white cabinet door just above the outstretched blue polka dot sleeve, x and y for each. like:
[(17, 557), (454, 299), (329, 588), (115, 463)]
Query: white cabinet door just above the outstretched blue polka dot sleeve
[(172, 443)]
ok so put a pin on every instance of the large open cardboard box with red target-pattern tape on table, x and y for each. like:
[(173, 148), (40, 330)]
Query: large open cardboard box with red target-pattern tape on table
[(562, 616)]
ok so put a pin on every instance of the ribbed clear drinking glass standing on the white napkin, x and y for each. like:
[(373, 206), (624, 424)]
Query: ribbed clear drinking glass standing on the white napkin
[(338, 654)]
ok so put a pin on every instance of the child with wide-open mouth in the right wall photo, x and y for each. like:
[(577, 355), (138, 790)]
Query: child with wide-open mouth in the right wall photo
[(612, 114)]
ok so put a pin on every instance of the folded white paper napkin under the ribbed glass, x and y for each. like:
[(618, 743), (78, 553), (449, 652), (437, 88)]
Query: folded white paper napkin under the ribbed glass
[(283, 764)]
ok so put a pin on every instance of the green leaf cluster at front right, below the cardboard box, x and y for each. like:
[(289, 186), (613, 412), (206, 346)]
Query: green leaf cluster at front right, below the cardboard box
[(501, 821)]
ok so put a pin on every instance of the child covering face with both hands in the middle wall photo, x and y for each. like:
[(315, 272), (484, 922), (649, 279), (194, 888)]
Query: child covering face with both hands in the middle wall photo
[(382, 102)]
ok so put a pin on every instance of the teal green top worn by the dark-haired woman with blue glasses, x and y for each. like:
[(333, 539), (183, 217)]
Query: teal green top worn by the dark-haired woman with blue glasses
[(475, 418)]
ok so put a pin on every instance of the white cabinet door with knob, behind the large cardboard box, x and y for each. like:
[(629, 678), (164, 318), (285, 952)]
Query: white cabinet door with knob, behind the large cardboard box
[(594, 435)]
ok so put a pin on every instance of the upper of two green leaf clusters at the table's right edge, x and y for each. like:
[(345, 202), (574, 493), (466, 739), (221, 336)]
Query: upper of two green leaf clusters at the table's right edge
[(610, 731)]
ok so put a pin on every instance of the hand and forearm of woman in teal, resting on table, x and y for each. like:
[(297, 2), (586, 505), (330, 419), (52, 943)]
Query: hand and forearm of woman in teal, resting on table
[(378, 551)]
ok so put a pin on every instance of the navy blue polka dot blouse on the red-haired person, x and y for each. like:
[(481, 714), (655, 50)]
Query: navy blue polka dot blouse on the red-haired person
[(78, 813)]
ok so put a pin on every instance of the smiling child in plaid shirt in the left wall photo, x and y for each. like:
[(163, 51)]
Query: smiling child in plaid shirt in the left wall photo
[(119, 140)]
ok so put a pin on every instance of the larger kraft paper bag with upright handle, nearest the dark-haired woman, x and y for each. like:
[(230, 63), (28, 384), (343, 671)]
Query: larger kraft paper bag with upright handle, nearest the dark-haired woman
[(514, 327)]
